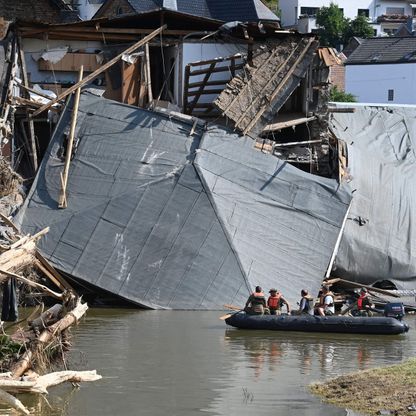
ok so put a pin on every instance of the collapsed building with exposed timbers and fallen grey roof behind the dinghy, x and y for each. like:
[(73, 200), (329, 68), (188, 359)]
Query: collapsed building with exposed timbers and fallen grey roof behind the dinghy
[(205, 161)]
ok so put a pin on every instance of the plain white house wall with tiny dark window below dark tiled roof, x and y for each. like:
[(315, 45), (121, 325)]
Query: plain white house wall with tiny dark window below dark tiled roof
[(370, 83)]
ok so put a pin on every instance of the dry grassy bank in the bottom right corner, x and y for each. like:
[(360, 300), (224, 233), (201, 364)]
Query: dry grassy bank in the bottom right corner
[(373, 391)]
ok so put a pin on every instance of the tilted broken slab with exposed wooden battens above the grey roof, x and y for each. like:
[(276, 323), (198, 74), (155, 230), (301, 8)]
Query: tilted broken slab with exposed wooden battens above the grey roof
[(253, 97)]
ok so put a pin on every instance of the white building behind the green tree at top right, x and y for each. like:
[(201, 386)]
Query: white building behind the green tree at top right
[(384, 15)]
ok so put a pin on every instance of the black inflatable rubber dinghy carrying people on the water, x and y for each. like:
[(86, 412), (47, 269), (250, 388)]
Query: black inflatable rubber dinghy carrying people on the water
[(309, 323)]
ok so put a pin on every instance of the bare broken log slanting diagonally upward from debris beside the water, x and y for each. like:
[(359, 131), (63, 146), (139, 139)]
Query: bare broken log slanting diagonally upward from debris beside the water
[(69, 319)]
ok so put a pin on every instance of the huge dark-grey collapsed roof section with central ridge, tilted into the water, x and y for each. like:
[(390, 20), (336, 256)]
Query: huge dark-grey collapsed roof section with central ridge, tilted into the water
[(147, 223)]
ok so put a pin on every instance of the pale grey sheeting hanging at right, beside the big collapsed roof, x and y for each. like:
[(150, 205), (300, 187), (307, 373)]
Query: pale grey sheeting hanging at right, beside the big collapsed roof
[(379, 242)]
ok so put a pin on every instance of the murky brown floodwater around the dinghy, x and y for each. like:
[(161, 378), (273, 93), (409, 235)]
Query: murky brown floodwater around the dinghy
[(166, 363)]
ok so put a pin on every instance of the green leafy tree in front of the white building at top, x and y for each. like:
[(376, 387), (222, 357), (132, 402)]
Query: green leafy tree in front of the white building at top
[(334, 29)]
